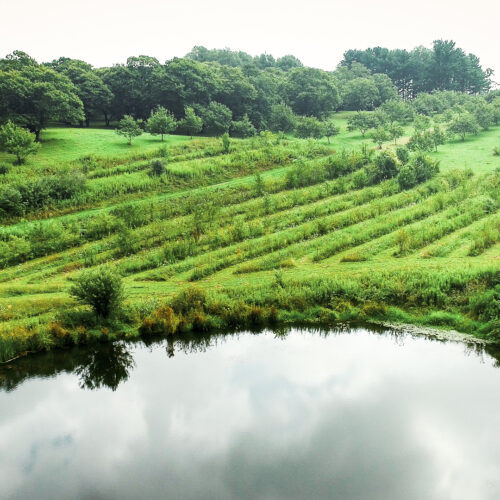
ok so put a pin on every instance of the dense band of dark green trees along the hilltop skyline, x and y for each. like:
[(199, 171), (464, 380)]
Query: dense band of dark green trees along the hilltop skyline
[(260, 90)]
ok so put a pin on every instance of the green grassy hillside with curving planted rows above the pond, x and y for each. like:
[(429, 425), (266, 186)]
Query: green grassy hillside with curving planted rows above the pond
[(305, 241)]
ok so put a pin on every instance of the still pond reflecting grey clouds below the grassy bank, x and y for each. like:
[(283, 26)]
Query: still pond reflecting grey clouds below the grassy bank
[(355, 414)]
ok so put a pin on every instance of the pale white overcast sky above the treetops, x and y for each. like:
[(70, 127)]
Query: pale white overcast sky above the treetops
[(103, 32)]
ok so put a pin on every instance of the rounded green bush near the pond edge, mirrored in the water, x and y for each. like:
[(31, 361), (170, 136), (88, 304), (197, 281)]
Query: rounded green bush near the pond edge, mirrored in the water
[(100, 288)]
